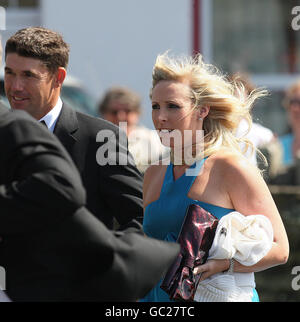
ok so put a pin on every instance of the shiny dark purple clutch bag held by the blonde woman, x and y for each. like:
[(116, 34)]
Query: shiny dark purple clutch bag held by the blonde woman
[(195, 239)]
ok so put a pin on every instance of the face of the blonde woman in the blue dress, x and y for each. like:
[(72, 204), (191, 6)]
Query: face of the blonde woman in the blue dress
[(173, 114)]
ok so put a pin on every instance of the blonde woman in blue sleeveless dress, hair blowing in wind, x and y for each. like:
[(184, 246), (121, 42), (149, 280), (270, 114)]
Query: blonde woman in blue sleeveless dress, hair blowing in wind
[(189, 96)]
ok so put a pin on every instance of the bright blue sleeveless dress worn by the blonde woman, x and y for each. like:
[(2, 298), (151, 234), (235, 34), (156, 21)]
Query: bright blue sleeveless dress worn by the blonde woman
[(163, 218)]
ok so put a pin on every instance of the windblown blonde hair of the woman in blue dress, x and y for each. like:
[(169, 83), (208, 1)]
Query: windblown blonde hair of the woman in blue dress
[(229, 101)]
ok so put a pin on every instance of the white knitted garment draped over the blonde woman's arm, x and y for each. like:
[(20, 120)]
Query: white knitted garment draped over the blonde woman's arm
[(247, 239)]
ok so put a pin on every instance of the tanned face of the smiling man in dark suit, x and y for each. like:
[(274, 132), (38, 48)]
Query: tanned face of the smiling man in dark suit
[(29, 85)]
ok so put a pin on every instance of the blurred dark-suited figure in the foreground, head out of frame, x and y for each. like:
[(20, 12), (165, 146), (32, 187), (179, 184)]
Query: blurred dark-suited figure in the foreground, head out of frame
[(52, 248)]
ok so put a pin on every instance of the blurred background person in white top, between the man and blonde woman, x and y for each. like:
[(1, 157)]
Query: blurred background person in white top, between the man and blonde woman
[(122, 107)]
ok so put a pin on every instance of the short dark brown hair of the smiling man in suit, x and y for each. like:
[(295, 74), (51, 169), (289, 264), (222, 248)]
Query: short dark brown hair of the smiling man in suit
[(40, 43)]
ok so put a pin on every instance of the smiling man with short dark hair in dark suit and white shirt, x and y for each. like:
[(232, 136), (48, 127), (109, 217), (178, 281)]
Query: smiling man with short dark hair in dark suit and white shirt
[(36, 61)]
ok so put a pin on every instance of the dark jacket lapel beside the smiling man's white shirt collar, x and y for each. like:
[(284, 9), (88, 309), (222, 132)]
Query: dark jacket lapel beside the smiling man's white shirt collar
[(67, 127)]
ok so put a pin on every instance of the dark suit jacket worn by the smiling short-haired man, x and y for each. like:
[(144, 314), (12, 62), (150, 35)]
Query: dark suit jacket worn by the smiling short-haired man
[(112, 190)]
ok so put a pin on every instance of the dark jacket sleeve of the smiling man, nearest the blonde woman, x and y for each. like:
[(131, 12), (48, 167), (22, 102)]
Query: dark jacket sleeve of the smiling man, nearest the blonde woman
[(122, 185)]
